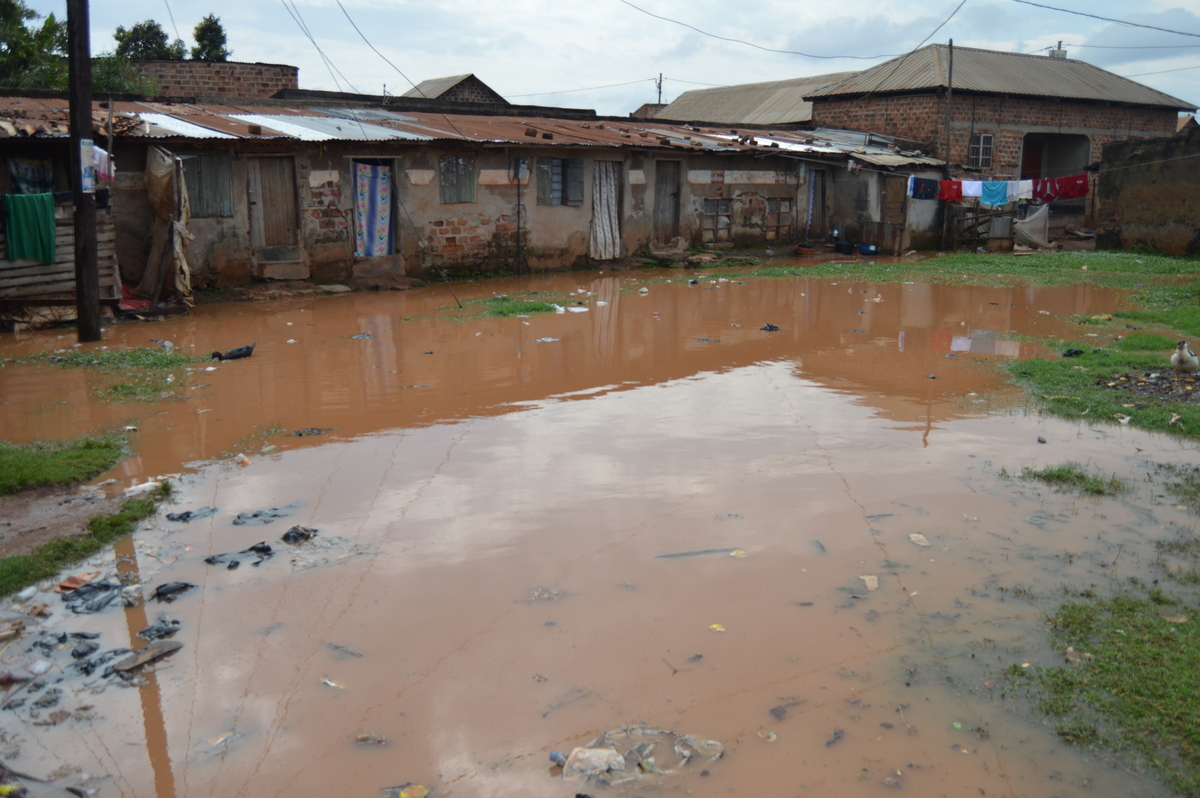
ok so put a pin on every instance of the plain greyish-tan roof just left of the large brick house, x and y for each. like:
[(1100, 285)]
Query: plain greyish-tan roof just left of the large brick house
[(778, 103)]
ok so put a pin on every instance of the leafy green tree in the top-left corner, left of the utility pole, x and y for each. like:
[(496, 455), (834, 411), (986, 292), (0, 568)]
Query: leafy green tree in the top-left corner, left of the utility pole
[(32, 57)]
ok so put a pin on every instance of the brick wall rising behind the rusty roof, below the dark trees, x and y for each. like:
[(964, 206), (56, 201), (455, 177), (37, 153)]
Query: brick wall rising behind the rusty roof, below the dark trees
[(219, 79)]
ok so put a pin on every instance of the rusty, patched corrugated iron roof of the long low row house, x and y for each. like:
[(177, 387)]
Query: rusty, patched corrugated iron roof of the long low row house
[(21, 118)]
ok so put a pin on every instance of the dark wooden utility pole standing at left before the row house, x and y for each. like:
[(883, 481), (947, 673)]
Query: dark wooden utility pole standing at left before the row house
[(80, 80)]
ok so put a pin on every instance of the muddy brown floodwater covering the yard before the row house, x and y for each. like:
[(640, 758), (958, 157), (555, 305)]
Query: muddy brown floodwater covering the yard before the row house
[(494, 500)]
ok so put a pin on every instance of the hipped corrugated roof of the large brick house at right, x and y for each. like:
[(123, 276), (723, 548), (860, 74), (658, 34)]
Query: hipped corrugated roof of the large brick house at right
[(995, 73)]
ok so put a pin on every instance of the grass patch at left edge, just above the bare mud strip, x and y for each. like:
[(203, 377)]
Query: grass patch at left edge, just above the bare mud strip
[(57, 464)]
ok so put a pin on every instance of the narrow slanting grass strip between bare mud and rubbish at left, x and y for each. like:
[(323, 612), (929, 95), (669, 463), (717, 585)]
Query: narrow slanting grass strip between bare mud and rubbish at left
[(50, 560)]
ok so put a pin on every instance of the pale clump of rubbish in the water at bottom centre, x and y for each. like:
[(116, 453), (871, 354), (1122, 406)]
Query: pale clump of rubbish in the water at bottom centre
[(632, 752)]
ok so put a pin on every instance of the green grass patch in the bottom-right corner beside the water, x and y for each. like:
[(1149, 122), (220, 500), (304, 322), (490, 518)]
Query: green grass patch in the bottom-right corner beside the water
[(1139, 691)]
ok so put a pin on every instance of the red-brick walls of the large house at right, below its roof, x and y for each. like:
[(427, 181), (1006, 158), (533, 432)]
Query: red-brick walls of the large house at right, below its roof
[(922, 119)]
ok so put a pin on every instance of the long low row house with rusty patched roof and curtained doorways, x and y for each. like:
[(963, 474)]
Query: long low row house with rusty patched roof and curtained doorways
[(328, 189)]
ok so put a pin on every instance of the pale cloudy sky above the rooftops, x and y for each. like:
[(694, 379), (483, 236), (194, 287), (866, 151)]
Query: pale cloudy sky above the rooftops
[(607, 55)]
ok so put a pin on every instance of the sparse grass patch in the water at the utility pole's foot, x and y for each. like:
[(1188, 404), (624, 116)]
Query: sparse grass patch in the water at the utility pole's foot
[(140, 375)]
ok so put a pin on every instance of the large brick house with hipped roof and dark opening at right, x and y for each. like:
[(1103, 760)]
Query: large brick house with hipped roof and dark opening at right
[(1012, 116)]
